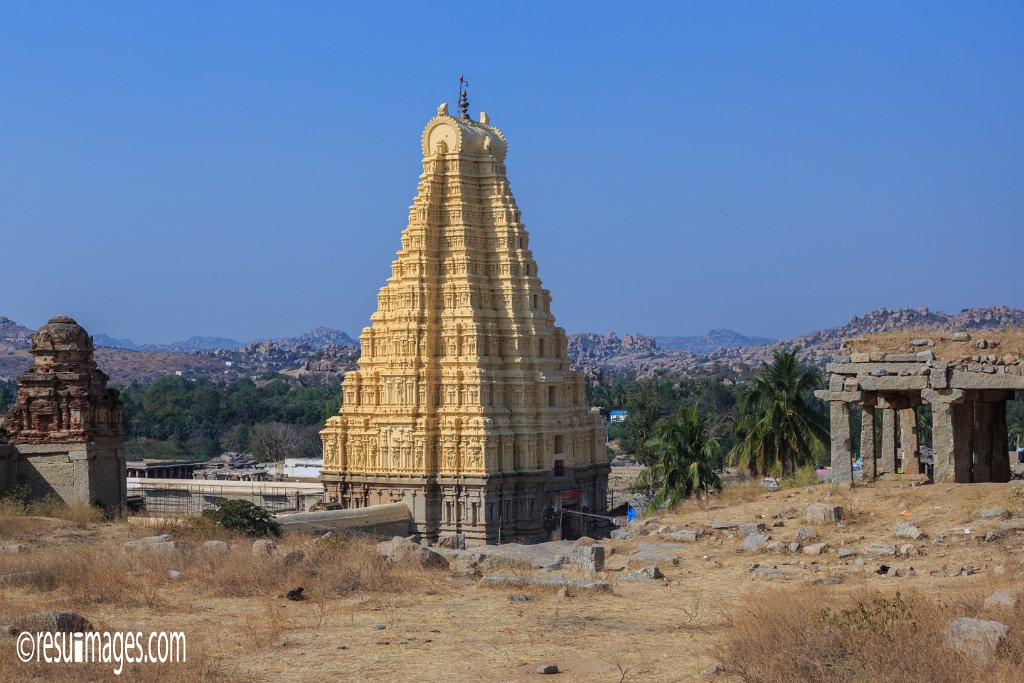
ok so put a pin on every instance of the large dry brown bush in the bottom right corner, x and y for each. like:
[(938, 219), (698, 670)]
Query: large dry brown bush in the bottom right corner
[(808, 634)]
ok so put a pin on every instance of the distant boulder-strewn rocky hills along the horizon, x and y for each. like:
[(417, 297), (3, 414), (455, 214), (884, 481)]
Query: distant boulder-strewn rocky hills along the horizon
[(325, 355)]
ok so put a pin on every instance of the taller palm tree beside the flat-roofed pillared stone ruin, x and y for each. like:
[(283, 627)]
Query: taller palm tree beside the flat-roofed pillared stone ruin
[(779, 425)]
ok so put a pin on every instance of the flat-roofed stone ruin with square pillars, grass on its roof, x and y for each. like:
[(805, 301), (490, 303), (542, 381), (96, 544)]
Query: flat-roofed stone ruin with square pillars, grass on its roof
[(964, 379)]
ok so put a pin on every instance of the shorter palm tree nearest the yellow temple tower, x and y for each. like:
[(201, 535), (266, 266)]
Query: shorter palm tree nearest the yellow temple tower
[(682, 452)]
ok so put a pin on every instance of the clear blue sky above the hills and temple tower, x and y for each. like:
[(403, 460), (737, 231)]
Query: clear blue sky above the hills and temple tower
[(245, 169)]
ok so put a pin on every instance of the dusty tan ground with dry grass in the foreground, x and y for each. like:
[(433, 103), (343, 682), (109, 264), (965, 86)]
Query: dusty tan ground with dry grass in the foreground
[(443, 627)]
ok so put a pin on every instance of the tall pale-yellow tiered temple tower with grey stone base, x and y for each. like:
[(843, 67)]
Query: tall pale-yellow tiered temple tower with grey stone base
[(464, 406)]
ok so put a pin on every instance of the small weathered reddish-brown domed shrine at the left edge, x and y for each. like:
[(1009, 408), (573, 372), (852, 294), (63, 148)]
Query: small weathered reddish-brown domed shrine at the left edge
[(64, 436)]
